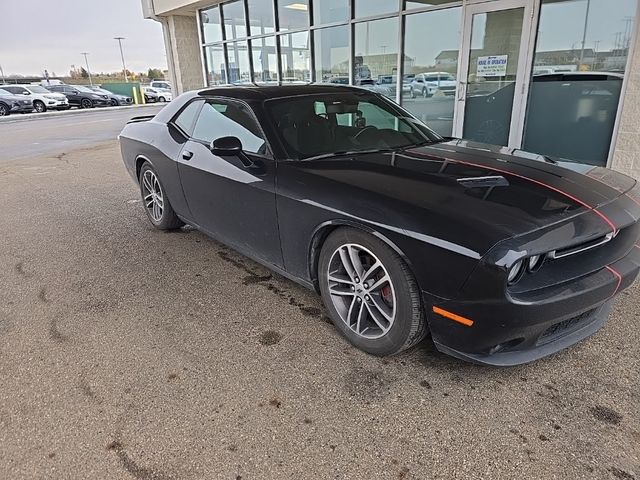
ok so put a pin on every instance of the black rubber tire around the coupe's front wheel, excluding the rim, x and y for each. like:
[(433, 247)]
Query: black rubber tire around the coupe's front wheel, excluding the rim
[(409, 326)]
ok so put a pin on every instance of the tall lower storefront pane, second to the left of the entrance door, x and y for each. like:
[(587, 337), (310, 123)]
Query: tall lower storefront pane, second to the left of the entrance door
[(376, 55)]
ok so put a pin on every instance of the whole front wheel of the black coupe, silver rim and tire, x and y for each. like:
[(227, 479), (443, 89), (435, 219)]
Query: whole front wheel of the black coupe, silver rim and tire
[(370, 293)]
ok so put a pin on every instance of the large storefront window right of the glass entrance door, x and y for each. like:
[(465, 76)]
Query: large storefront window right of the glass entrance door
[(579, 64)]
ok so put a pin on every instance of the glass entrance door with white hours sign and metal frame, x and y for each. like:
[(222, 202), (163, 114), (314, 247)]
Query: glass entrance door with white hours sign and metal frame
[(494, 72)]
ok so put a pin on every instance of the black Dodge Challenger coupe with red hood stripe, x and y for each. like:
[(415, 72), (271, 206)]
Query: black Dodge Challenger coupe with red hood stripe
[(501, 255)]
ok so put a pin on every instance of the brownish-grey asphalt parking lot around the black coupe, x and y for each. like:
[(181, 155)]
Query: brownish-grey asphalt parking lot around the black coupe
[(130, 353)]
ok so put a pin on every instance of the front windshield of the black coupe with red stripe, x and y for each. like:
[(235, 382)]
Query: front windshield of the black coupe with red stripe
[(322, 125)]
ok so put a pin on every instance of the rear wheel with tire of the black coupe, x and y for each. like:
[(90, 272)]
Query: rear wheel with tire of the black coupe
[(156, 205)]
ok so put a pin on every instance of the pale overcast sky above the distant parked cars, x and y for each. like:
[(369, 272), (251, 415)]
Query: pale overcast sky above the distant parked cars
[(39, 34)]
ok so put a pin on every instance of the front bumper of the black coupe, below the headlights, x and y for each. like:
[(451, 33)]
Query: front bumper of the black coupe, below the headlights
[(515, 330)]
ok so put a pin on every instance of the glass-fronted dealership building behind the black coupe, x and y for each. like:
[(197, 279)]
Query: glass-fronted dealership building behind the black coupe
[(554, 77)]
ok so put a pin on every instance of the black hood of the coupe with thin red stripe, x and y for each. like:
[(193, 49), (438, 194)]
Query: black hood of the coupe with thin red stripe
[(470, 193)]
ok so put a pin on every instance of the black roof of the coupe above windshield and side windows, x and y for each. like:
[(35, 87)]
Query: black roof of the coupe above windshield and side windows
[(263, 92)]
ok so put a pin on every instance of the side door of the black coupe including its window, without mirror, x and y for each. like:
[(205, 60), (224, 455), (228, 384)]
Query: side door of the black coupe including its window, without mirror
[(232, 196)]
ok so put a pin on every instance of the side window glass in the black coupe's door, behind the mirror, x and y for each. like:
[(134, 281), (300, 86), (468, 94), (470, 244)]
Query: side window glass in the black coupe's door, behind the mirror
[(221, 118)]
